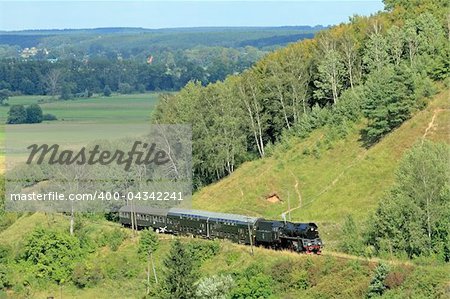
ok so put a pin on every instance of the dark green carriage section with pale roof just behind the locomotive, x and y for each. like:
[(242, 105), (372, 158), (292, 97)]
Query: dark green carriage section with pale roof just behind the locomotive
[(236, 228)]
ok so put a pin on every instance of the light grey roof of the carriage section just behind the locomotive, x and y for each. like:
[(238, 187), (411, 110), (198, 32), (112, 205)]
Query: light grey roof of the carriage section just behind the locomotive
[(239, 219)]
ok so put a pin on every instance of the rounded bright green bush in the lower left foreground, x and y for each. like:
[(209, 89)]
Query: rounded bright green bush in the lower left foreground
[(52, 254)]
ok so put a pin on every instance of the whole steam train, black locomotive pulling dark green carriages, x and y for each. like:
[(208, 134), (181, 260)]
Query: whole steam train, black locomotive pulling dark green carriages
[(299, 237)]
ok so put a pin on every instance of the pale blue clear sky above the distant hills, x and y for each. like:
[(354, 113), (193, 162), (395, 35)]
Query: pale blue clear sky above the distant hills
[(19, 15)]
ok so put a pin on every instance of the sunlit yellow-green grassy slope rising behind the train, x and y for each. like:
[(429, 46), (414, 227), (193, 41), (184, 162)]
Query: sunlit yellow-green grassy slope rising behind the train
[(298, 170)]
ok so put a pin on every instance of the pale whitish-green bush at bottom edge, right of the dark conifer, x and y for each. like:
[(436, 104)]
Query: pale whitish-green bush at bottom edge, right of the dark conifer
[(215, 287)]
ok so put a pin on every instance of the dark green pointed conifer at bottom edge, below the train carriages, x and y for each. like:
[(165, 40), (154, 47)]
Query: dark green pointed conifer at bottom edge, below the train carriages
[(180, 276)]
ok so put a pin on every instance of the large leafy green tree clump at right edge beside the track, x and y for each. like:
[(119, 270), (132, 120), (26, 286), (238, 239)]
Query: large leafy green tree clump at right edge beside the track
[(414, 216)]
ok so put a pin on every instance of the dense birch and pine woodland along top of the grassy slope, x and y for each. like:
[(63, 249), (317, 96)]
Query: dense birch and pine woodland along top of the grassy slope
[(380, 67)]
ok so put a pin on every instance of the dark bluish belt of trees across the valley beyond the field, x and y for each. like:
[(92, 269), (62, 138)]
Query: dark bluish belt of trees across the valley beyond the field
[(169, 71)]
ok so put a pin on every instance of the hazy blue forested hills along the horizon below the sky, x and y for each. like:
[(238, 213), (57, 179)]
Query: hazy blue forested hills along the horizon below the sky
[(132, 40)]
